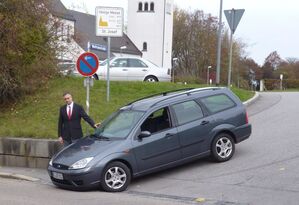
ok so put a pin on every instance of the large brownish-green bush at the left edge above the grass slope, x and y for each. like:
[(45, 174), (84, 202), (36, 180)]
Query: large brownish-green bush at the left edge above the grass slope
[(27, 48)]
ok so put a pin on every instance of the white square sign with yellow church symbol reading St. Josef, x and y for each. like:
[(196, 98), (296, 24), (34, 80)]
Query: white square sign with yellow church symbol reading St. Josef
[(109, 21)]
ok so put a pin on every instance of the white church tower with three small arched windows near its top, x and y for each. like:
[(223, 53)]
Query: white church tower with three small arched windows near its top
[(150, 27)]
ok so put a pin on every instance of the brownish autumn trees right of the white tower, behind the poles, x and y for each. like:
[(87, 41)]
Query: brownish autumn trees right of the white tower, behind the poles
[(195, 46)]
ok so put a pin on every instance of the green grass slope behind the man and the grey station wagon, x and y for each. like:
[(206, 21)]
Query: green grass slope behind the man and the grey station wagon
[(36, 116)]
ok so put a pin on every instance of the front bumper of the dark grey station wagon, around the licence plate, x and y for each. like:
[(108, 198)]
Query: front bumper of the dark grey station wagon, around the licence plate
[(75, 179)]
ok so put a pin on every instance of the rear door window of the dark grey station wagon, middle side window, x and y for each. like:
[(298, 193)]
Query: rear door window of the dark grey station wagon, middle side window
[(187, 112)]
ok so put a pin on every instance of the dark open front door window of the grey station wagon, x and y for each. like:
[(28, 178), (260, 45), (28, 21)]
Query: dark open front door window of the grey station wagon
[(157, 121)]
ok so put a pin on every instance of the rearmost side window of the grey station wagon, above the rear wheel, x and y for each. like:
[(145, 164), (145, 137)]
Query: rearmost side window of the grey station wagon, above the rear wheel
[(217, 103)]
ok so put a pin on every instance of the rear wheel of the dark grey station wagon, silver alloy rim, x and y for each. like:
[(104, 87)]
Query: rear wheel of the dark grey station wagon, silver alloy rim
[(223, 147)]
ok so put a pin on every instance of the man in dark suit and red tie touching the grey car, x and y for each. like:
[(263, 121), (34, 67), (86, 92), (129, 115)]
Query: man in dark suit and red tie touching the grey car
[(69, 123)]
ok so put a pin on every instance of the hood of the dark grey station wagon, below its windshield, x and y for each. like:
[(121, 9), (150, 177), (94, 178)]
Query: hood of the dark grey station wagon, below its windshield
[(83, 148)]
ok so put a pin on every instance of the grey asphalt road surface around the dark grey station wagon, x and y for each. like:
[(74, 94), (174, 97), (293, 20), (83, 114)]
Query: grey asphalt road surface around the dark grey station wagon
[(264, 170)]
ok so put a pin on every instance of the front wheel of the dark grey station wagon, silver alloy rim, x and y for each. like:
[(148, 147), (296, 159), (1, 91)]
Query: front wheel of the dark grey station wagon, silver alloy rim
[(116, 177)]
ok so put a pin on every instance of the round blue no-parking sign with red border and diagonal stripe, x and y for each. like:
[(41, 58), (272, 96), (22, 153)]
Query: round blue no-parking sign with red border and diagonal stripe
[(87, 64)]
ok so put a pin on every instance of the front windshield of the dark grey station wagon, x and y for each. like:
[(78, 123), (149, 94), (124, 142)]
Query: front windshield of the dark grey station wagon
[(119, 124)]
